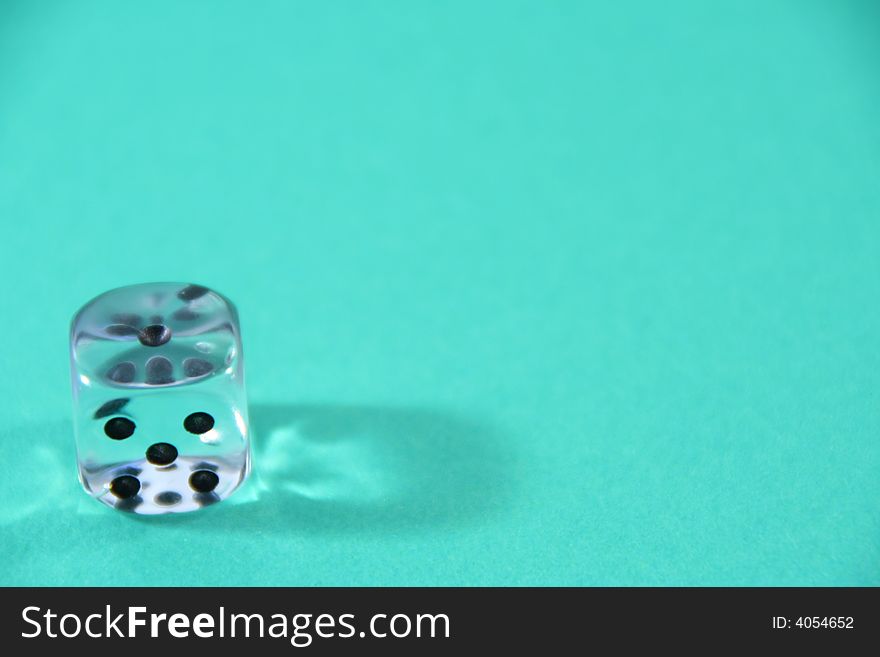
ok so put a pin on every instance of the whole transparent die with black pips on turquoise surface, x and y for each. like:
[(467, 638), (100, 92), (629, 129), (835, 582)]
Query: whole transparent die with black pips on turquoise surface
[(160, 411)]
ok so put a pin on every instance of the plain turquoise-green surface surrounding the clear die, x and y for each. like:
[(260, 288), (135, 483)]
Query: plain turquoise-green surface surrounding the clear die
[(531, 293)]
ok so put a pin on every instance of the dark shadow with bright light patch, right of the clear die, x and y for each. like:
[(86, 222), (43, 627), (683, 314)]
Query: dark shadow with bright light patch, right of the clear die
[(346, 469)]
